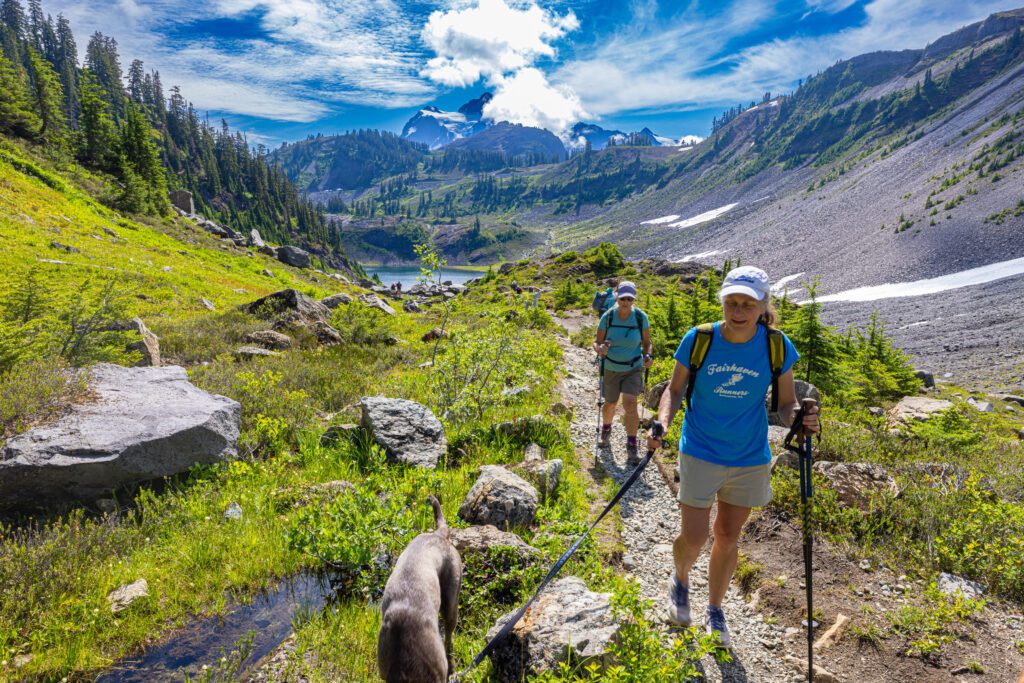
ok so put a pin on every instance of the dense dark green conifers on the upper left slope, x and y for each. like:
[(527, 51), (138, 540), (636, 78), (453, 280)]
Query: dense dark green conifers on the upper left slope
[(135, 140)]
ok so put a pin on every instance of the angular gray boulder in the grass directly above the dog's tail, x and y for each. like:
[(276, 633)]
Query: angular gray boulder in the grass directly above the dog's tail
[(408, 432)]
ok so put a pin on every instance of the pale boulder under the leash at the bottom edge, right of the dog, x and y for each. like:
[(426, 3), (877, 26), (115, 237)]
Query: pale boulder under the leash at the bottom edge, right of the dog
[(568, 622)]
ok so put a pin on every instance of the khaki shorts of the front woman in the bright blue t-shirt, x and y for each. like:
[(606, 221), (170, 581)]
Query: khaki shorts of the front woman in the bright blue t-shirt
[(743, 487)]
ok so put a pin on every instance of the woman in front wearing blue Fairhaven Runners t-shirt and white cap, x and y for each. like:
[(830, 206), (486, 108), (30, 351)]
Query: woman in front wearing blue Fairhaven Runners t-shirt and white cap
[(724, 370)]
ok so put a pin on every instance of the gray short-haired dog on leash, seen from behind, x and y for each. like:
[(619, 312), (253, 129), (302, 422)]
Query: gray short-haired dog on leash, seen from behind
[(425, 581)]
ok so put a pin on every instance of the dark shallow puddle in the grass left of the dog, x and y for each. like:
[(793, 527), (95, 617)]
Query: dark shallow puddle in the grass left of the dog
[(269, 618)]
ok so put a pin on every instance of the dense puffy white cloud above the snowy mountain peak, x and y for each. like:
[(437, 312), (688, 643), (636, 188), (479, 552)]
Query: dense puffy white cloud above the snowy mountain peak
[(502, 45)]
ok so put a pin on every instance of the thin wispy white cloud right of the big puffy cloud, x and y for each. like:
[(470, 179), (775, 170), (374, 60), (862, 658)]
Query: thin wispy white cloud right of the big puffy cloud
[(680, 67)]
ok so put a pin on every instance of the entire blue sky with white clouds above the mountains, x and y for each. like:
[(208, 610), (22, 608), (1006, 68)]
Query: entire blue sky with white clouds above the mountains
[(281, 70)]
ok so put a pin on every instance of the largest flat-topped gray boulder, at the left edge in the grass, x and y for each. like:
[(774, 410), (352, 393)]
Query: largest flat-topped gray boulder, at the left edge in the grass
[(140, 424)]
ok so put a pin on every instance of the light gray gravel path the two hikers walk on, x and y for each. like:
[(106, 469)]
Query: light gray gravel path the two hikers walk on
[(651, 523)]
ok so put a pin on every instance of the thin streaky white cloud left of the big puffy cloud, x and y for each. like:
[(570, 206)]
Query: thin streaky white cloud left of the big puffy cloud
[(312, 54)]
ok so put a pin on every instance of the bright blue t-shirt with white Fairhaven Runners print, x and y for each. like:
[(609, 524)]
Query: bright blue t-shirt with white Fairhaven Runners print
[(729, 424)]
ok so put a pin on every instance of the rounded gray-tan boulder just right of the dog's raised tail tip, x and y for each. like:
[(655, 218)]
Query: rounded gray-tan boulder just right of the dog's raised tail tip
[(500, 498)]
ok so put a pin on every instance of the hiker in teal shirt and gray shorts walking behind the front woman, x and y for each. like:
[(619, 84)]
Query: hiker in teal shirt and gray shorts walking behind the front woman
[(624, 343)]
